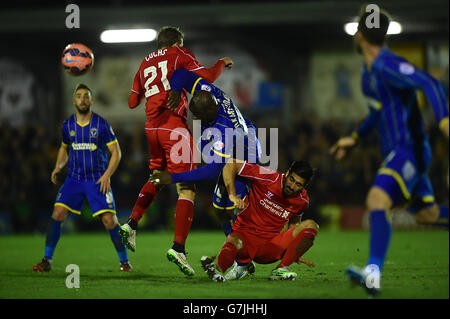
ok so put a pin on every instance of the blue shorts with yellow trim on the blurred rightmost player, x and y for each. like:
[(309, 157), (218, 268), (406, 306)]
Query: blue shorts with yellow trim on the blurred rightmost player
[(400, 177)]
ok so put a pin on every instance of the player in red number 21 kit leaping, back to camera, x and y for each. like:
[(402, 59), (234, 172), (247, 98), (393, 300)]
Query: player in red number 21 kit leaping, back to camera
[(165, 128)]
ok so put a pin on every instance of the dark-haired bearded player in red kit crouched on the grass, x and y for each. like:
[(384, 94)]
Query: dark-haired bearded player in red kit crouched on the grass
[(275, 199)]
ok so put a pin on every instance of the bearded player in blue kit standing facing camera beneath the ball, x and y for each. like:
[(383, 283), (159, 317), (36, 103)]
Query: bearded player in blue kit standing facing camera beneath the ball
[(86, 136)]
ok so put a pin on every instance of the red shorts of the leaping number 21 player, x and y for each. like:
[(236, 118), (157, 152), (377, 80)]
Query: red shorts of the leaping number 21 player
[(171, 144)]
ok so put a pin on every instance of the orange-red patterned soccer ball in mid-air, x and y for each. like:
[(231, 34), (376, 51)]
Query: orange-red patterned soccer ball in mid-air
[(77, 59)]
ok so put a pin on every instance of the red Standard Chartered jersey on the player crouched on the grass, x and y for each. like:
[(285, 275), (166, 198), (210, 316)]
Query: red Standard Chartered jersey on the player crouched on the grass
[(267, 210)]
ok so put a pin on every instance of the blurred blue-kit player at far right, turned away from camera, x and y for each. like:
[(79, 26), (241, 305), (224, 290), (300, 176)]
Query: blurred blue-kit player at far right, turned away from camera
[(390, 83)]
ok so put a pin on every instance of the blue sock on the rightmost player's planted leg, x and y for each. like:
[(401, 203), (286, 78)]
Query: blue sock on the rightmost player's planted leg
[(380, 235)]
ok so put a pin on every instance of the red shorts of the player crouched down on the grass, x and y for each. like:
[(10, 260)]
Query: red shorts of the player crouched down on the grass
[(263, 250)]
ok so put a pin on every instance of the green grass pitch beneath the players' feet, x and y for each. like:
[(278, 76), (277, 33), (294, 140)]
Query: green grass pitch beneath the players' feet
[(417, 267)]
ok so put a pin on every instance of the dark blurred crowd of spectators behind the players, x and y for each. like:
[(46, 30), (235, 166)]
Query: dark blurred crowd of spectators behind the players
[(28, 155)]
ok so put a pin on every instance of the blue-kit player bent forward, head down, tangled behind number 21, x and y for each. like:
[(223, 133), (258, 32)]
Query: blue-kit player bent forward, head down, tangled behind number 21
[(228, 133)]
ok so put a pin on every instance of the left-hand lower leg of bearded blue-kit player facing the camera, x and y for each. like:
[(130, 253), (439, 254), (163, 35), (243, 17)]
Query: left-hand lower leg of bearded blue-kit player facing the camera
[(53, 234)]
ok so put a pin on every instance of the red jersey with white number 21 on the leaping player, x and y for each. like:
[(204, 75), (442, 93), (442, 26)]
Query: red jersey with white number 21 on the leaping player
[(153, 79)]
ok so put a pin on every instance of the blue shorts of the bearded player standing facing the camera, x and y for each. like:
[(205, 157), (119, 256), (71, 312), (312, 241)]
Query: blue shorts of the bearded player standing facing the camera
[(72, 194)]
